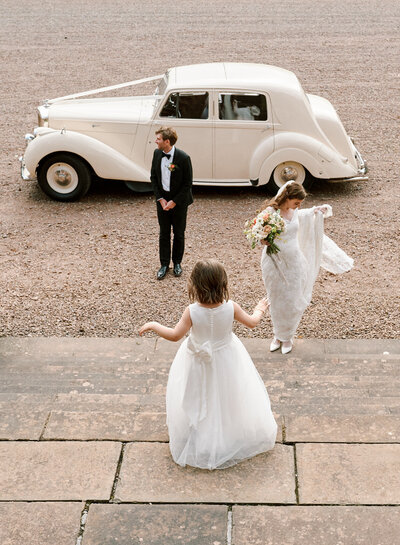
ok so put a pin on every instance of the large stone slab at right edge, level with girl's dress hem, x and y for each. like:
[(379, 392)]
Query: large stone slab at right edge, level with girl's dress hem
[(348, 474)]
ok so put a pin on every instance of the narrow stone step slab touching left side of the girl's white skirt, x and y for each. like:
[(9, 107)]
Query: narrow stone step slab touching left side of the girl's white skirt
[(115, 425)]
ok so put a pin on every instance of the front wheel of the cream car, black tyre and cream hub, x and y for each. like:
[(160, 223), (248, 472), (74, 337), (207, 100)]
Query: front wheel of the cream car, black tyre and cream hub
[(64, 177)]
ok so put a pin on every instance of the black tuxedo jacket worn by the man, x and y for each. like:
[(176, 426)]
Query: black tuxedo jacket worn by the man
[(181, 178)]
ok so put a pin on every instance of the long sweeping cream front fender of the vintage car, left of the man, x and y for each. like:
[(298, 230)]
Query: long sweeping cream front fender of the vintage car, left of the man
[(105, 161)]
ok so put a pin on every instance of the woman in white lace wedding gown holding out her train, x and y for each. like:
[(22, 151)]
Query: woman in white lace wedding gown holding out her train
[(289, 275)]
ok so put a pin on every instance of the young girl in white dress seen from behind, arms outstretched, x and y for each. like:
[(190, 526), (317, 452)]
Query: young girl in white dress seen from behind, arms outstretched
[(218, 410)]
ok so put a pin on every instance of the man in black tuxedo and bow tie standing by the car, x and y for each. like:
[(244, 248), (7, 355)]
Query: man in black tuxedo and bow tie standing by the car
[(171, 180)]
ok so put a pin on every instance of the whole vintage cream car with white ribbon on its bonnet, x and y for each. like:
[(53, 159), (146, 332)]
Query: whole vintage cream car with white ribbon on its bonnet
[(242, 124)]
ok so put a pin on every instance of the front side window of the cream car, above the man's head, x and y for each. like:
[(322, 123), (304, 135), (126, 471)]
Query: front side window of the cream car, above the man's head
[(186, 106)]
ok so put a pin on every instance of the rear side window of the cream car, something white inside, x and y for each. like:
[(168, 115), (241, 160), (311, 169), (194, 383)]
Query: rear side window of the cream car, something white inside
[(247, 106)]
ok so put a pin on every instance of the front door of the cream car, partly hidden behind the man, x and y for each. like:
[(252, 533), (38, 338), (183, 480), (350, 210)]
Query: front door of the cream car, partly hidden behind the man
[(188, 112)]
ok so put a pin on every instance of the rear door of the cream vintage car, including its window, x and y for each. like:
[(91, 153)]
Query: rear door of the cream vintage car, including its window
[(242, 123)]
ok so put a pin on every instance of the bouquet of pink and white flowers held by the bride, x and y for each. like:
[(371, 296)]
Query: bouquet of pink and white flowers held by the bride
[(265, 226)]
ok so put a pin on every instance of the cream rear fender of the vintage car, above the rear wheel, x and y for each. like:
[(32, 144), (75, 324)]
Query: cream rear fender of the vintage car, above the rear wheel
[(318, 158)]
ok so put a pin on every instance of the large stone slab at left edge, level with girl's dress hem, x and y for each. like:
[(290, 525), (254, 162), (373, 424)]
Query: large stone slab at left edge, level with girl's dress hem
[(50, 470)]
